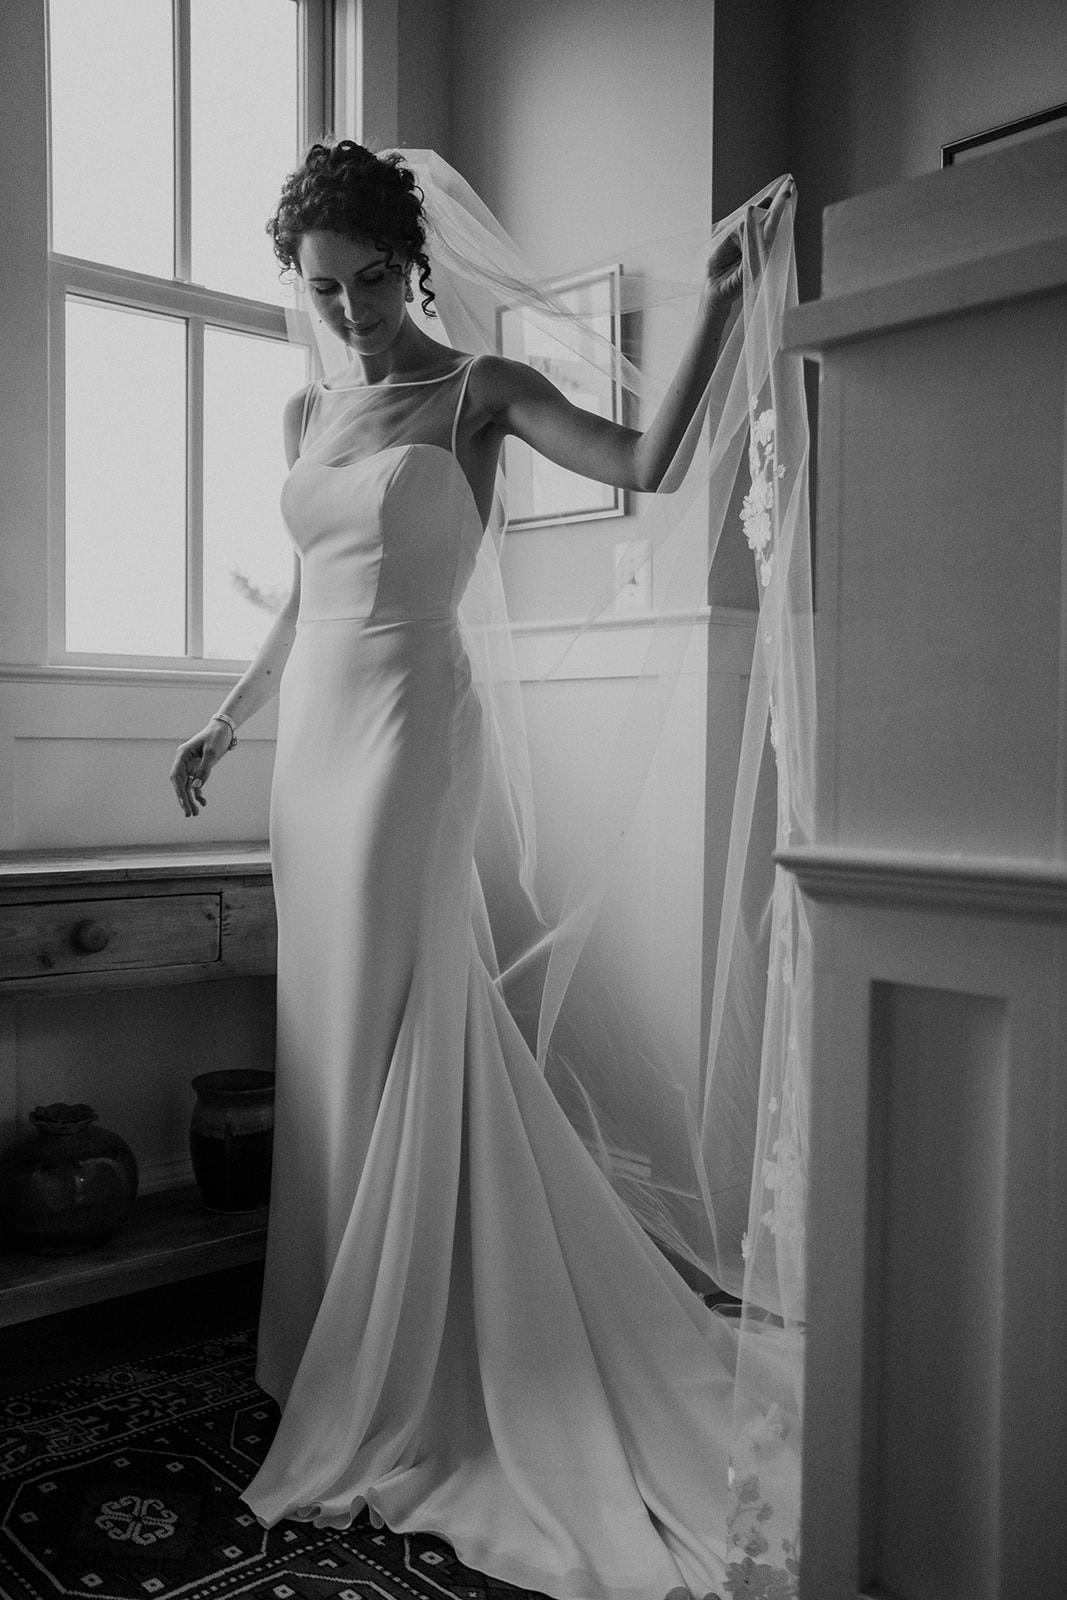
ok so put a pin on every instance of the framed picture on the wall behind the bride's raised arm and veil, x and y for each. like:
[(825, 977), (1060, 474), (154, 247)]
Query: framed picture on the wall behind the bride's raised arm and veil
[(538, 492)]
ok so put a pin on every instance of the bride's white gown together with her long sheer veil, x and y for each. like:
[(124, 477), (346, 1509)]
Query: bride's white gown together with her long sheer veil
[(479, 1134)]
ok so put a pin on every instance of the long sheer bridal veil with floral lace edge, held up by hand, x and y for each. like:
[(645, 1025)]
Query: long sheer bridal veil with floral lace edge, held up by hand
[(703, 1129)]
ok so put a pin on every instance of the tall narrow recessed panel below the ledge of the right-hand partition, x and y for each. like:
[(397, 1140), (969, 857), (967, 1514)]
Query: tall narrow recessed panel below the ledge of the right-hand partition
[(938, 1146)]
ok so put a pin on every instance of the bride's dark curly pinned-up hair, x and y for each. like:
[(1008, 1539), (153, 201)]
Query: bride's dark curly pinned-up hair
[(348, 190)]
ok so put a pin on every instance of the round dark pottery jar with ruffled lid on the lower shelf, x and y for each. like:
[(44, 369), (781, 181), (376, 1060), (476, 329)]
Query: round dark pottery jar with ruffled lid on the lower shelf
[(66, 1186)]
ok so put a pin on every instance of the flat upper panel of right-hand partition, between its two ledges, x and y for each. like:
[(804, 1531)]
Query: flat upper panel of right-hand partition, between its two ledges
[(949, 585)]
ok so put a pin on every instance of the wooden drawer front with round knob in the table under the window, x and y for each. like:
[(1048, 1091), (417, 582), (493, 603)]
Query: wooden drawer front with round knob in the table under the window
[(108, 935)]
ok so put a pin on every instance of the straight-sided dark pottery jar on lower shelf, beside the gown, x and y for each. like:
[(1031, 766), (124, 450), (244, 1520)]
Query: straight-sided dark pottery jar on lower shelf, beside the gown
[(231, 1138)]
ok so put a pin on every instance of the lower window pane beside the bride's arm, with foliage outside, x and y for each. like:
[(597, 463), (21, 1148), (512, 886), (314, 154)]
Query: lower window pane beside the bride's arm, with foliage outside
[(247, 553)]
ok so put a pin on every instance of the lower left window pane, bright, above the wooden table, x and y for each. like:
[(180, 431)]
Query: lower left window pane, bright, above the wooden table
[(126, 486)]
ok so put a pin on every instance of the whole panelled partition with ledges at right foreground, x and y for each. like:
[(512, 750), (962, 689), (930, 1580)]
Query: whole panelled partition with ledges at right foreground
[(937, 1380)]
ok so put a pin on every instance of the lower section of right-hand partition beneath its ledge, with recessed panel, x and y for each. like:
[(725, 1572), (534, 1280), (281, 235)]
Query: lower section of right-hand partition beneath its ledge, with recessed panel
[(938, 1204)]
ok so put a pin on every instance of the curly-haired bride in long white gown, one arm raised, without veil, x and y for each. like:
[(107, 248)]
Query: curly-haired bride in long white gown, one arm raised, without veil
[(465, 1329)]
